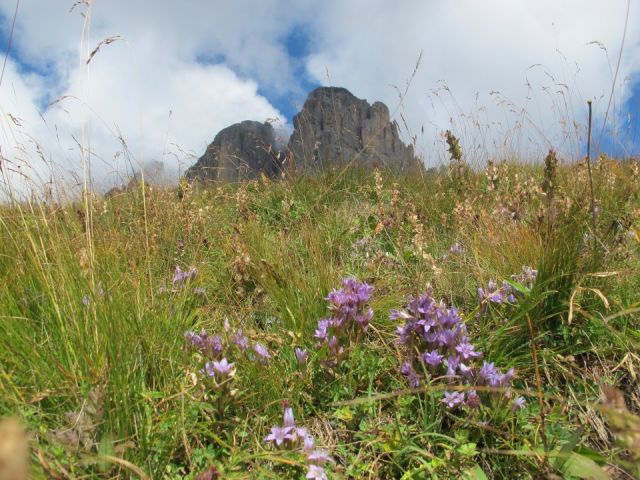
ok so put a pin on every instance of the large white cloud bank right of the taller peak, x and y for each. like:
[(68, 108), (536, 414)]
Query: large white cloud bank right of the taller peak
[(476, 48)]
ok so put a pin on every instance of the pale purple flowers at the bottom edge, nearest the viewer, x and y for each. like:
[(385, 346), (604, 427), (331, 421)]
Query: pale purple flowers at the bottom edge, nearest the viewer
[(292, 437)]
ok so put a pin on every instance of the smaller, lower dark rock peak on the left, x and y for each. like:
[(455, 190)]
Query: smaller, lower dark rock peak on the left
[(241, 151)]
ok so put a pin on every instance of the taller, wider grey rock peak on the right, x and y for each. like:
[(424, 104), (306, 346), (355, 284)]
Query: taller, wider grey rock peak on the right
[(335, 127)]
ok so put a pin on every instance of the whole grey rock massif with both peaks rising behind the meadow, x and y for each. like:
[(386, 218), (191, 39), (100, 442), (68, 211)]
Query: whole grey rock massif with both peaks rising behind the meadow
[(333, 128)]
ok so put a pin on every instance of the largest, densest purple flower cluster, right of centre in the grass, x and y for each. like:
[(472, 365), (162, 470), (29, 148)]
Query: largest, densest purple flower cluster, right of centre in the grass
[(437, 345)]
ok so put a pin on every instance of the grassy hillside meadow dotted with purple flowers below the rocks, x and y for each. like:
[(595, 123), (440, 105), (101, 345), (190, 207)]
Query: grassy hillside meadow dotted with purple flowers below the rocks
[(102, 307)]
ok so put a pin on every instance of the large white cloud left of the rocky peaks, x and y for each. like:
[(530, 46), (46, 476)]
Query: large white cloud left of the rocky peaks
[(150, 88)]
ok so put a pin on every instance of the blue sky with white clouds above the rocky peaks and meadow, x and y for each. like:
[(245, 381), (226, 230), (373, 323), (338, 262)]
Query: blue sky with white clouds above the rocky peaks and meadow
[(510, 78)]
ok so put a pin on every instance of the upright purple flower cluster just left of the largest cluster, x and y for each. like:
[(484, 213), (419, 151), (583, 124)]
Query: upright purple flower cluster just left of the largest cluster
[(350, 316)]
